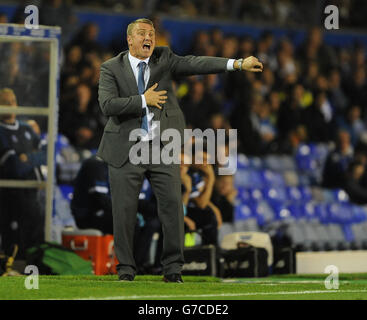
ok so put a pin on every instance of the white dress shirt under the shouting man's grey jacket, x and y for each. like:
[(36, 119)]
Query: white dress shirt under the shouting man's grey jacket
[(134, 62)]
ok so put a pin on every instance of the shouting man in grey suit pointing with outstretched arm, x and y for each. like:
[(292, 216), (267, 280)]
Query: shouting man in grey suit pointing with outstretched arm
[(128, 104)]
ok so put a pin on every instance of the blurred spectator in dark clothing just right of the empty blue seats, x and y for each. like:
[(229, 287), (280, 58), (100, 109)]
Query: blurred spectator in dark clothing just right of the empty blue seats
[(337, 161)]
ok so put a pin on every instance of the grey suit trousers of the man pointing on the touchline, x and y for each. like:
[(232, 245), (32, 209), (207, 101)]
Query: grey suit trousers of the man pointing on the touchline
[(125, 186)]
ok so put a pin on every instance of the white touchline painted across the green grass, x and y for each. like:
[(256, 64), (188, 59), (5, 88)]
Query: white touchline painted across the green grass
[(221, 295)]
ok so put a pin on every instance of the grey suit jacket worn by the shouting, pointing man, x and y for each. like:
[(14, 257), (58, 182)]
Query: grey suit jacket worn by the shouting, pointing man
[(120, 101)]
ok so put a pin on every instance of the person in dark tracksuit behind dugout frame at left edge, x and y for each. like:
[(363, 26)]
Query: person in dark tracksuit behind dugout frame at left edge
[(21, 212)]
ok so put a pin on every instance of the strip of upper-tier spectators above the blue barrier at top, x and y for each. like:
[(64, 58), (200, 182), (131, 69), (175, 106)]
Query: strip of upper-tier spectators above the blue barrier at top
[(280, 12)]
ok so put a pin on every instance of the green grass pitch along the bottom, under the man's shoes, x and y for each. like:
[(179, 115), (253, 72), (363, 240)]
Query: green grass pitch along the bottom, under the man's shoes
[(286, 287)]
